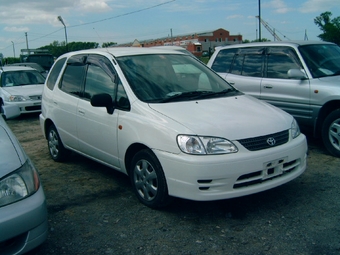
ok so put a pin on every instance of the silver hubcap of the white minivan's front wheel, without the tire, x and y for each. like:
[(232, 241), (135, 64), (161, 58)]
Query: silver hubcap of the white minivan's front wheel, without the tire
[(145, 179)]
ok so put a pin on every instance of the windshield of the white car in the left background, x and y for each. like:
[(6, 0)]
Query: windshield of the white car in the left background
[(20, 78)]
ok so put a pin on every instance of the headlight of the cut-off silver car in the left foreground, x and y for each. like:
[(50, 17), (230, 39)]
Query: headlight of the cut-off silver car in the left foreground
[(19, 184)]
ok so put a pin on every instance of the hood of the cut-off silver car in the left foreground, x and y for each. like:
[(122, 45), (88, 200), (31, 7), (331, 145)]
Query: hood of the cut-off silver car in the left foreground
[(10, 158)]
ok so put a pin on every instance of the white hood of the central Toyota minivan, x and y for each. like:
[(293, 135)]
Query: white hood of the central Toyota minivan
[(229, 117)]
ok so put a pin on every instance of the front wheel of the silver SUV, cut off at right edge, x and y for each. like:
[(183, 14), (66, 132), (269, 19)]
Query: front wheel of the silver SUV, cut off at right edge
[(331, 133)]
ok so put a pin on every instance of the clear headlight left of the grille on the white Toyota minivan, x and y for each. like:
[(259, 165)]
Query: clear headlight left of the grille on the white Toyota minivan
[(201, 145)]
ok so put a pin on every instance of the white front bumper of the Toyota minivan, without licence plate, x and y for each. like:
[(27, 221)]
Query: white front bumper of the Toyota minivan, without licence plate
[(215, 177)]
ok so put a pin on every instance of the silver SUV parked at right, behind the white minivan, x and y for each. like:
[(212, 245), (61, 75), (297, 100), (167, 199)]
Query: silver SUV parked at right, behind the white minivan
[(300, 77)]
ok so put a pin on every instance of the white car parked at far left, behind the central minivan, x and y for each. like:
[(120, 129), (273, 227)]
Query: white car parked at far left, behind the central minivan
[(21, 86)]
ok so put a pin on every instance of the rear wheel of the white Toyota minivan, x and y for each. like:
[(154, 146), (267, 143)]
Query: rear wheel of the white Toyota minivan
[(55, 145)]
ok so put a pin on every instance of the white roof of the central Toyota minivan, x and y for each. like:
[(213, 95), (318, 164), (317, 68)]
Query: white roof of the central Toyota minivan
[(124, 51)]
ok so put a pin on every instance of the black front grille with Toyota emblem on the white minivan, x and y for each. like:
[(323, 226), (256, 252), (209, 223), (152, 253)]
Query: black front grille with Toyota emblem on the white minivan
[(261, 142)]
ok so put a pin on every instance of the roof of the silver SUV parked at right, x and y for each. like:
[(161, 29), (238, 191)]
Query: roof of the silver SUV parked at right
[(293, 43)]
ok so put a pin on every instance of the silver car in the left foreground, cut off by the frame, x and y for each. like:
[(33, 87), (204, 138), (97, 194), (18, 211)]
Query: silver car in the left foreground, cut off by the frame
[(23, 213)]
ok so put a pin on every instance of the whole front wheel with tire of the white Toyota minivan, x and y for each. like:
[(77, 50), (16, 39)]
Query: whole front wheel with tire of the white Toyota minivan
[(148, 180)]
